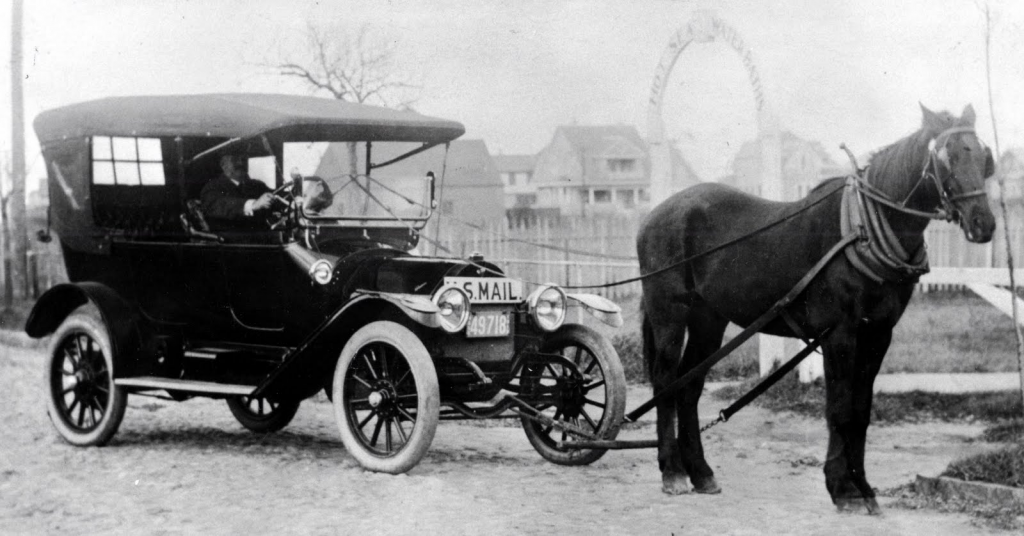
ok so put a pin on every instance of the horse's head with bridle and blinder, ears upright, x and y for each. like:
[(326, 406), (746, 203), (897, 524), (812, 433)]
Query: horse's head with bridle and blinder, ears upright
[(960, 163)]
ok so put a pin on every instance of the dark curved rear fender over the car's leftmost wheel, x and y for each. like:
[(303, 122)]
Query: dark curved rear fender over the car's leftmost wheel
[(119, 318)]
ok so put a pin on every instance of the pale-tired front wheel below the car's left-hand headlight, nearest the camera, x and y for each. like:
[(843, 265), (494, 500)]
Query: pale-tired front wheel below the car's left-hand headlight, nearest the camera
[(386, 382)]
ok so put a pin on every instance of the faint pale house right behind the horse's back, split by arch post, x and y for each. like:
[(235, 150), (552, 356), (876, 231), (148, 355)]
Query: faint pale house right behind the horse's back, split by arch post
[(804, 164)]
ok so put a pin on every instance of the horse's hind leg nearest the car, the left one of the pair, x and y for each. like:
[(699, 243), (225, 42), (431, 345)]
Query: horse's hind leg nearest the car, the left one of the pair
[(663, 344)]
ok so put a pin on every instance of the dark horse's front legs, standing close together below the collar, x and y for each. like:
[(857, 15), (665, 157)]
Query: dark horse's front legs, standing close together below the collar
[(852, 361)]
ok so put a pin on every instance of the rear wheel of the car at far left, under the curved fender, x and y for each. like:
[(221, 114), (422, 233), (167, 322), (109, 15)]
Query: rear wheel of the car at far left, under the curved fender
[(82, 401)]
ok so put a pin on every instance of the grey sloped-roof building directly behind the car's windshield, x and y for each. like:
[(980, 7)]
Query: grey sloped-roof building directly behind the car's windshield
[(468, 188)]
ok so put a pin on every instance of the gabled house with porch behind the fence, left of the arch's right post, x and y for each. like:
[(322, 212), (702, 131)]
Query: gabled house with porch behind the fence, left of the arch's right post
[(607, 169)]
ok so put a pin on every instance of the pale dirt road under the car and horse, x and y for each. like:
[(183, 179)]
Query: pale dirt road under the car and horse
[(190, 469)]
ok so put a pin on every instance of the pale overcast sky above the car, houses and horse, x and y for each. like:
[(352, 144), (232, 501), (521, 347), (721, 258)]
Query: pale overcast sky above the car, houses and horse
[(513, 71)]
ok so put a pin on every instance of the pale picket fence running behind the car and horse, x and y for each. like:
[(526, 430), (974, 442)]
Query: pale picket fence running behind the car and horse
[(586, 252)]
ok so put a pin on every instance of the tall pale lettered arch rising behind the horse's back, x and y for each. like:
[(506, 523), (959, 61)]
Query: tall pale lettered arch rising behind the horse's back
[(708, 28)]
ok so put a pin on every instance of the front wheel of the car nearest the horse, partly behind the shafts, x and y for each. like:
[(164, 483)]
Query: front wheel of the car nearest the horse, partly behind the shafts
[(593, 366)]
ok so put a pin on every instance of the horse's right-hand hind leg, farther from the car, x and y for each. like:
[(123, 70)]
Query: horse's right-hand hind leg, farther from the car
[(706, 329)]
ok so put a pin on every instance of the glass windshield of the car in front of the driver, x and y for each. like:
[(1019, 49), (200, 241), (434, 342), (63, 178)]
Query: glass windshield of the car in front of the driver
[(335, 184)]
